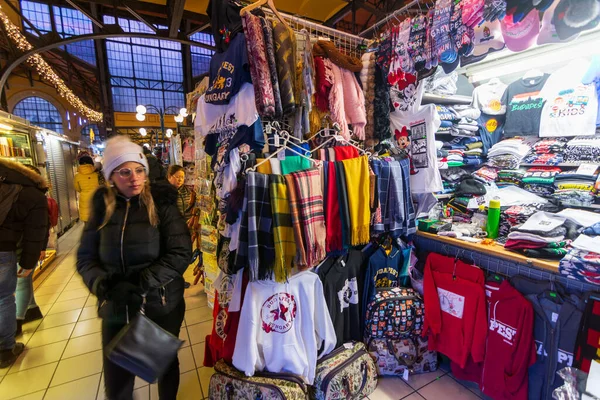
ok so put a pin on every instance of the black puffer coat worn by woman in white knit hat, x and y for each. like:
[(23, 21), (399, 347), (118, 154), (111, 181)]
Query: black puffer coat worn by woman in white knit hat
[(128, 247)]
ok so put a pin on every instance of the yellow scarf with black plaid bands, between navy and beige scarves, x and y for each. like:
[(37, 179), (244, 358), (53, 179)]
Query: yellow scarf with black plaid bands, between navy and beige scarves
[(283, 232)]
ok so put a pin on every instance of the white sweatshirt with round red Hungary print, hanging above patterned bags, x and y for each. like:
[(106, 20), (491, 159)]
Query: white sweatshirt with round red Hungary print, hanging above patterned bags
[(282, 326)]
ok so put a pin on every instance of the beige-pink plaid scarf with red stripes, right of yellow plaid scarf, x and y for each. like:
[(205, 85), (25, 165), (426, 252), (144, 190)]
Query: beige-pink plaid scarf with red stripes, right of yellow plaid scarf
[(307, 185)]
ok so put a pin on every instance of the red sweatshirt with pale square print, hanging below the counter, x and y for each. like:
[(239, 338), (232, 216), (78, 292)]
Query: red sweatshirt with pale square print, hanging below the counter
[(455, 309)]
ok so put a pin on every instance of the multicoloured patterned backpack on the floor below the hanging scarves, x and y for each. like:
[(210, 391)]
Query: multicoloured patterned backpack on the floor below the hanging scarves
[(393, 326)]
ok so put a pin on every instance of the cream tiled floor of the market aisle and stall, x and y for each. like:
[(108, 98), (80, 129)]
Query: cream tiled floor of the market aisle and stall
[(63, 356)]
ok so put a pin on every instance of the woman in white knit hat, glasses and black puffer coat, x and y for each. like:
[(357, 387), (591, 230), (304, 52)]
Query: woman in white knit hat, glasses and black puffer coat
[(136, 245)]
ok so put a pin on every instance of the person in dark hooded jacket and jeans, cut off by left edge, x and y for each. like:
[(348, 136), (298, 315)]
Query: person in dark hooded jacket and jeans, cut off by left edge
[(23, 222)]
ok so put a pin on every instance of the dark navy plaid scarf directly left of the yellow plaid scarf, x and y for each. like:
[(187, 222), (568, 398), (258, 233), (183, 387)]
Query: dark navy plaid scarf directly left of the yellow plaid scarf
[(261, 249)]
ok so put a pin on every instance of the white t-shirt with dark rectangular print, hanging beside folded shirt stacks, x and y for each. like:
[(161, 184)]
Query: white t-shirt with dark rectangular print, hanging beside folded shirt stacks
[(422, 126)]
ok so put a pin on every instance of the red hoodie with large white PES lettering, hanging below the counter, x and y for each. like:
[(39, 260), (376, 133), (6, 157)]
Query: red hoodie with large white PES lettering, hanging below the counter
[(510, 349)]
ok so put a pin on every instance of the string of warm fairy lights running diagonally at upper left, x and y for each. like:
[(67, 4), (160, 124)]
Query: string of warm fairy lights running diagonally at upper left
[(46, 72)]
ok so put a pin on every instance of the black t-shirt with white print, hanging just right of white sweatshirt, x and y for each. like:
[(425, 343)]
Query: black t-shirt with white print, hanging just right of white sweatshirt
[(340, 277)]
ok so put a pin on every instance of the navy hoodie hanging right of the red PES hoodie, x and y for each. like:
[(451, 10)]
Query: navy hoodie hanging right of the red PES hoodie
[(557, 320)]
